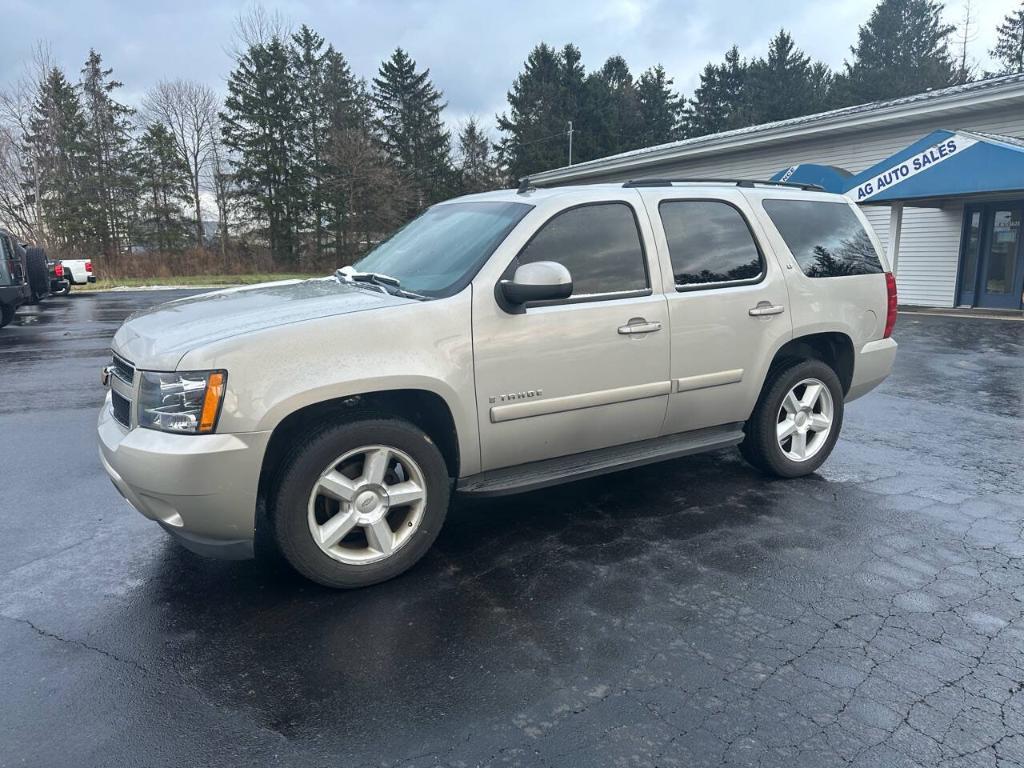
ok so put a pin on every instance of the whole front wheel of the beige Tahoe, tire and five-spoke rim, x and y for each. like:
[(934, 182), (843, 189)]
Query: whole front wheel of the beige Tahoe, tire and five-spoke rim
[(360, 502)]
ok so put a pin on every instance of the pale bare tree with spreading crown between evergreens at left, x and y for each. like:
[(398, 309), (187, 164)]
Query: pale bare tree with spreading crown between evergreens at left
[(190, 112)]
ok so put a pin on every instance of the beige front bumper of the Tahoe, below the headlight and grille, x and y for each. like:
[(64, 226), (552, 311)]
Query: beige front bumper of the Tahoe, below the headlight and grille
[(201, 489)]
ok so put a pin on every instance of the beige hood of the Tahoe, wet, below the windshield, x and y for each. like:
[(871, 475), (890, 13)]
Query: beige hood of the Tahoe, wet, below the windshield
[(159, 337)]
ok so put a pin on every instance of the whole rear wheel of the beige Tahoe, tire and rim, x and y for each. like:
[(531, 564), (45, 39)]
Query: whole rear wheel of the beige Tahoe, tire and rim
[(797, 420)]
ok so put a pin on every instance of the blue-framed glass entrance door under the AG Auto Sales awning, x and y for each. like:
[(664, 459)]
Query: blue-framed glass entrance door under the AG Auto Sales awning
[(993, 274)]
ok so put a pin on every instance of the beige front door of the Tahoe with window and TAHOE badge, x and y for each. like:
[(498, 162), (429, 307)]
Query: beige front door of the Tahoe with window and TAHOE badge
[(586, 373)]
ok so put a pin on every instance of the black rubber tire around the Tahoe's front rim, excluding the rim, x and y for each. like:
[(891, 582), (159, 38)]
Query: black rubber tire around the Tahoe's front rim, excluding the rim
[(303, 468)]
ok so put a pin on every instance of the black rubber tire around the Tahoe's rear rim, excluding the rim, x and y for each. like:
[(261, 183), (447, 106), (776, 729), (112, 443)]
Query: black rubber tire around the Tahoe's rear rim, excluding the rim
[(761, 448)]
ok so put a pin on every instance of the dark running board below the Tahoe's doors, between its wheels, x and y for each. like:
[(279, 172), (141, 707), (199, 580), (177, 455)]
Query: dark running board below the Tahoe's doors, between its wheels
[(577, 467)]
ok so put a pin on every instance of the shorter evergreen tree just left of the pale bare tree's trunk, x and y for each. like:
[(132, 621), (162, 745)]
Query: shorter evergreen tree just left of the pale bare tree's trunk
[(165, 188)]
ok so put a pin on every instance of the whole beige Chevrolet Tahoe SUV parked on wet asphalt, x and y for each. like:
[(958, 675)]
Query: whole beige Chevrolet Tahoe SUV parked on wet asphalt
[(500, 343)]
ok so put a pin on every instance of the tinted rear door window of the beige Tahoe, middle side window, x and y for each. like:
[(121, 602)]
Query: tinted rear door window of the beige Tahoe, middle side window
[(709, 242)]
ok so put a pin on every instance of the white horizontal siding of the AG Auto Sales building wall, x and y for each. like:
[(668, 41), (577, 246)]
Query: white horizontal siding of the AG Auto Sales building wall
[(930, 239)]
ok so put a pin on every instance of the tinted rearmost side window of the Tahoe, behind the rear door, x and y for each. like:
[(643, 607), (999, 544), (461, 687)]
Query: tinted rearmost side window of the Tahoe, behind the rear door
[(827, 239)]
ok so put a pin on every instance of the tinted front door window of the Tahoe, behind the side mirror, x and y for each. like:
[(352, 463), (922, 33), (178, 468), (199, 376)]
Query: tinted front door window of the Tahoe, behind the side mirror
[(599, 244)]
